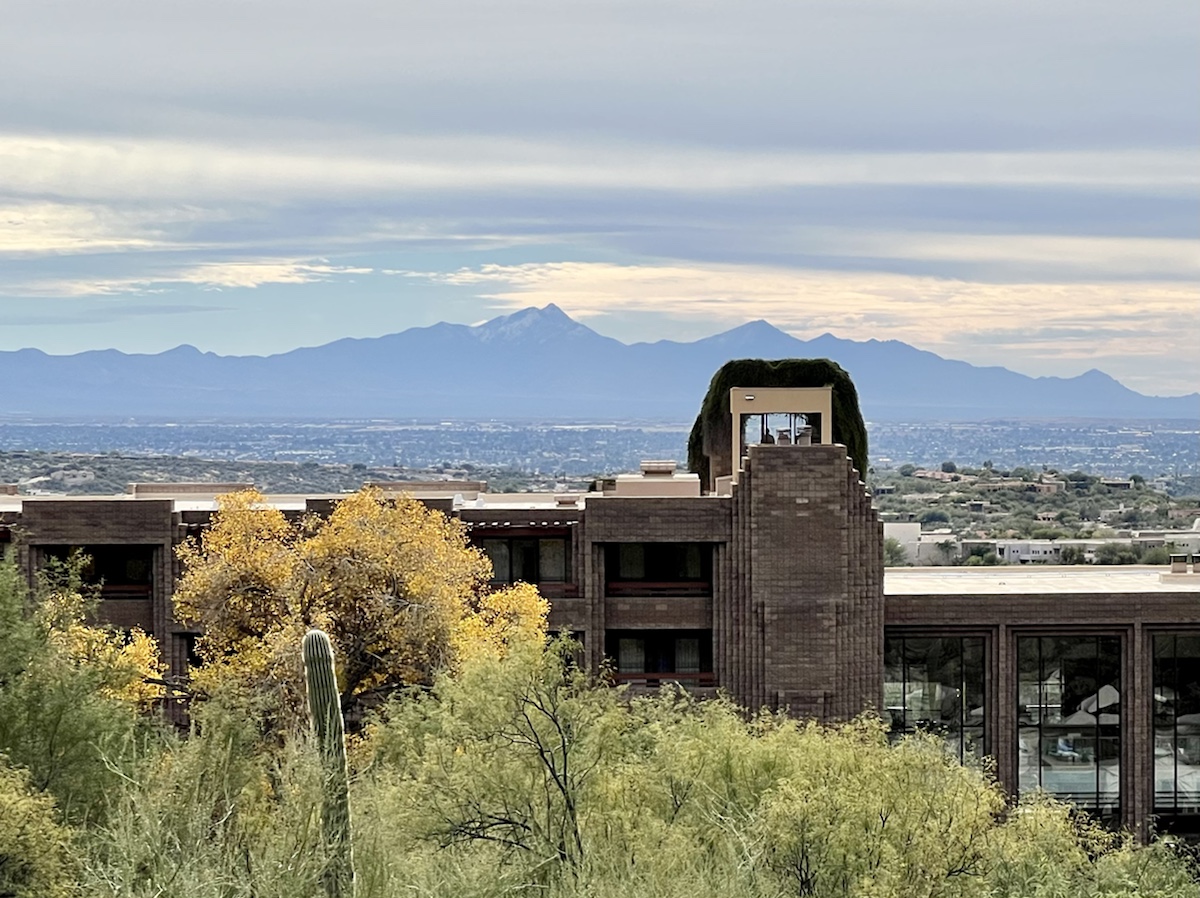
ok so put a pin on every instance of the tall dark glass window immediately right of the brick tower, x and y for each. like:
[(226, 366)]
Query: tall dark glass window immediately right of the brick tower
[(937, 685)]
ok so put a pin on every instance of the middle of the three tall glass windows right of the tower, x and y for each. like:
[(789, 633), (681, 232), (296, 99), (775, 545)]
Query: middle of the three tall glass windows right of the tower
[(1070, 720)]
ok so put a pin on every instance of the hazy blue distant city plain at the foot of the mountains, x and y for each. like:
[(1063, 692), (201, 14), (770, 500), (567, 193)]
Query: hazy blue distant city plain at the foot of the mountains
[(1168, 451)]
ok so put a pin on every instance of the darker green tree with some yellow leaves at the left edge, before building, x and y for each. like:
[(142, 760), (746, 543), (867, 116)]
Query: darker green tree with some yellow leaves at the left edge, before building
[(70, 692)]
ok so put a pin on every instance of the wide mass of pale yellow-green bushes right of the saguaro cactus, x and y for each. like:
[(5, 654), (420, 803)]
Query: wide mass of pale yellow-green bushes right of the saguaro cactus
[(557, 786)]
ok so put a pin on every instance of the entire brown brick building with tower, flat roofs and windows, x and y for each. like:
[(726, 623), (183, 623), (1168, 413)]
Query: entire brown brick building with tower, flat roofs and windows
[(769, 584)]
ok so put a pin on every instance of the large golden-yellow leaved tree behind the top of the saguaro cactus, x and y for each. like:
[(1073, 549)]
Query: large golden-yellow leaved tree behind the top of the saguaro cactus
[(397, 586)]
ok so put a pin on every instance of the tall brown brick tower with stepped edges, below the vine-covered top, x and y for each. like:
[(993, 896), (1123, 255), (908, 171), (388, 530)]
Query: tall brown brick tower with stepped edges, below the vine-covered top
[(814, 552)]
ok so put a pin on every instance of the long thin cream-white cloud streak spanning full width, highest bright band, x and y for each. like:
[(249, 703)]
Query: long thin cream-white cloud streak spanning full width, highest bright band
[(82, 167)]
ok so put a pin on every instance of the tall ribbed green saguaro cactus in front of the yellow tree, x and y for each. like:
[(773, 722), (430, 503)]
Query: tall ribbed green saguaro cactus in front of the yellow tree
[(327, 723)]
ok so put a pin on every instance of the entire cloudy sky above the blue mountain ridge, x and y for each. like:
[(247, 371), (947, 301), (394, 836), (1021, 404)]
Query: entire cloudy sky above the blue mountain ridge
[(1010, 183)]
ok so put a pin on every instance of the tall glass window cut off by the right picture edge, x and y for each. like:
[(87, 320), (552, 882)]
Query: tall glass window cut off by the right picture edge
[(1178, 731)]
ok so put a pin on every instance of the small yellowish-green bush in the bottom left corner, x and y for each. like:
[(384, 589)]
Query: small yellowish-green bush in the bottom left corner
[(37, 858)]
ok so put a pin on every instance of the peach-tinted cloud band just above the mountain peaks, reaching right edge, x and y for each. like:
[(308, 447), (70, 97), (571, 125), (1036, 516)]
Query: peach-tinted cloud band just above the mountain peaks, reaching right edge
[(1049, 326)]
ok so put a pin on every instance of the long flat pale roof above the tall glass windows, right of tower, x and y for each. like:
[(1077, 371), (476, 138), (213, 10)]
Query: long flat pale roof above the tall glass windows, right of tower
[(1031, 579)]
